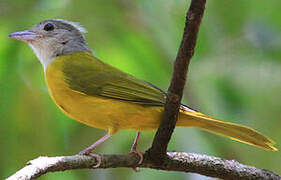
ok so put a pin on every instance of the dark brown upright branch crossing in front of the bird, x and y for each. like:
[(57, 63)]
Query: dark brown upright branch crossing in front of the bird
[(193, 19)]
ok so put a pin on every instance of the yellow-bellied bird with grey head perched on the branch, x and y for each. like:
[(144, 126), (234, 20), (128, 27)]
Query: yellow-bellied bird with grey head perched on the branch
[(101, 96)]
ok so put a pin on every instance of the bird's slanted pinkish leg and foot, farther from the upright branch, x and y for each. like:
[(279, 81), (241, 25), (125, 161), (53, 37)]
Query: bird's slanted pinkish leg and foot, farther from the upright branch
[(89, 149)]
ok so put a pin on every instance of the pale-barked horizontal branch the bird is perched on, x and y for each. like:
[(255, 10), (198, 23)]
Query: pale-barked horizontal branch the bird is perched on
[(175, 161)]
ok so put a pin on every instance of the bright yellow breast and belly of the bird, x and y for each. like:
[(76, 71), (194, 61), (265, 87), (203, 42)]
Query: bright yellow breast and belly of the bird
[(103, 113)]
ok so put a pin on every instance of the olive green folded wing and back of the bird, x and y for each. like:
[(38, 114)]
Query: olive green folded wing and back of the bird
[(85, 73)]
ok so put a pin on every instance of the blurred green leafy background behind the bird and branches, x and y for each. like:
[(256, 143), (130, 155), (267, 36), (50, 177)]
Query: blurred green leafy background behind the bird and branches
[(235, 75)]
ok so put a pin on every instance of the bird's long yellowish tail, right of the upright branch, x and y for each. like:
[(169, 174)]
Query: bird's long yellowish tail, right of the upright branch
[(188, 117)]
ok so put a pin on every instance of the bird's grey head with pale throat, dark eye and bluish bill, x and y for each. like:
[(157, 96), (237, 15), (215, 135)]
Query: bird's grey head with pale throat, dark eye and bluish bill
[(52, 38)]
